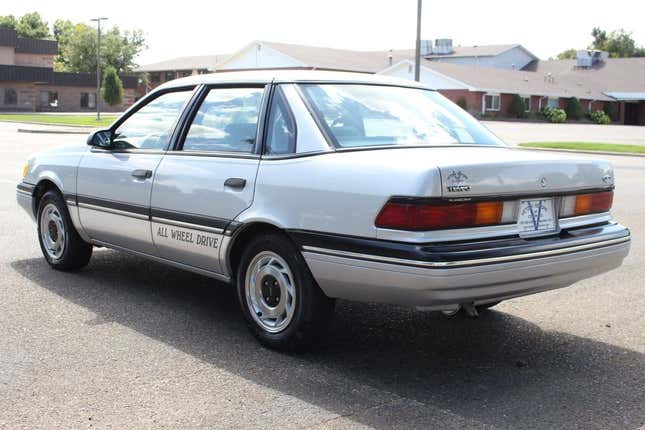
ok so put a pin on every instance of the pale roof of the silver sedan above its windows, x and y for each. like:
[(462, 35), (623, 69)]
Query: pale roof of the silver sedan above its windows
[(289, 76)]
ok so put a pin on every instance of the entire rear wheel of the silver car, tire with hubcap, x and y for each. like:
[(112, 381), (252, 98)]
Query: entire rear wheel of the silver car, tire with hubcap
[(282, 304)]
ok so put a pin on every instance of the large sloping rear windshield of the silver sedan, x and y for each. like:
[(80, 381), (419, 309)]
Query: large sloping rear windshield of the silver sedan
[(356, 115)]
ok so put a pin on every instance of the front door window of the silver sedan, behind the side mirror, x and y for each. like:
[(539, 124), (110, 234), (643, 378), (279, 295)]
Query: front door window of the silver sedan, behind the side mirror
[(151, 126)]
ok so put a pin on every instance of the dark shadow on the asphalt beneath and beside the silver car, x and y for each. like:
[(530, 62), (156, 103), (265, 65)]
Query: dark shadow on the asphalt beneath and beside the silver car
[(380, 365)]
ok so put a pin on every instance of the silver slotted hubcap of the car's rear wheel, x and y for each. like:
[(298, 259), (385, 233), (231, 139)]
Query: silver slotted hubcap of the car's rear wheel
[(270, 291)]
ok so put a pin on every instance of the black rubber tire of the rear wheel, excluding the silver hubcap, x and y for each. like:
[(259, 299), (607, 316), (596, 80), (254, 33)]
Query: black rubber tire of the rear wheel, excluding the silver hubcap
[(312, 310)]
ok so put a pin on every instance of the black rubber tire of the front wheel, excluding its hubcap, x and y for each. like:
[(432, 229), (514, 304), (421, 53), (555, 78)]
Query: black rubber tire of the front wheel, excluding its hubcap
[(76, 253)]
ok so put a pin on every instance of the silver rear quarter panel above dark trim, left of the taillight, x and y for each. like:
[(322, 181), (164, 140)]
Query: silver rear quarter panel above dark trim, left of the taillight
[(338, 192)]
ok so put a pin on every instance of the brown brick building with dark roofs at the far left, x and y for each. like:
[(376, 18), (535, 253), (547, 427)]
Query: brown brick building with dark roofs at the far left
[(29, 83)]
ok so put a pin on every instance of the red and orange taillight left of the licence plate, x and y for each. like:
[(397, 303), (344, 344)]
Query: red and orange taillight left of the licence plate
[(415, 216)]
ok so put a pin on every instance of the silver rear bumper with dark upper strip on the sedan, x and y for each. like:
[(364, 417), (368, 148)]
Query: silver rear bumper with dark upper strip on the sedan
[(476, 272)]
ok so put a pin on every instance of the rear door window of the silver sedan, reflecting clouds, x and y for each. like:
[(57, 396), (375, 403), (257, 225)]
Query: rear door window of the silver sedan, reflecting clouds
[(227, 120)]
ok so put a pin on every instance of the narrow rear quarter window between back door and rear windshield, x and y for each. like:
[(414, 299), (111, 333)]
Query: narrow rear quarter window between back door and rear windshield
[(281, 133)]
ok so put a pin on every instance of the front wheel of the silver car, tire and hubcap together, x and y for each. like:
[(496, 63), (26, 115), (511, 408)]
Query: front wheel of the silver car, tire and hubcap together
[(59, 241)]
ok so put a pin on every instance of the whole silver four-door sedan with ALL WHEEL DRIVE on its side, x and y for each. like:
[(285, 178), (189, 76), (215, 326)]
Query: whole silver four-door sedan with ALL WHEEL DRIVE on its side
[(300, 188)]
